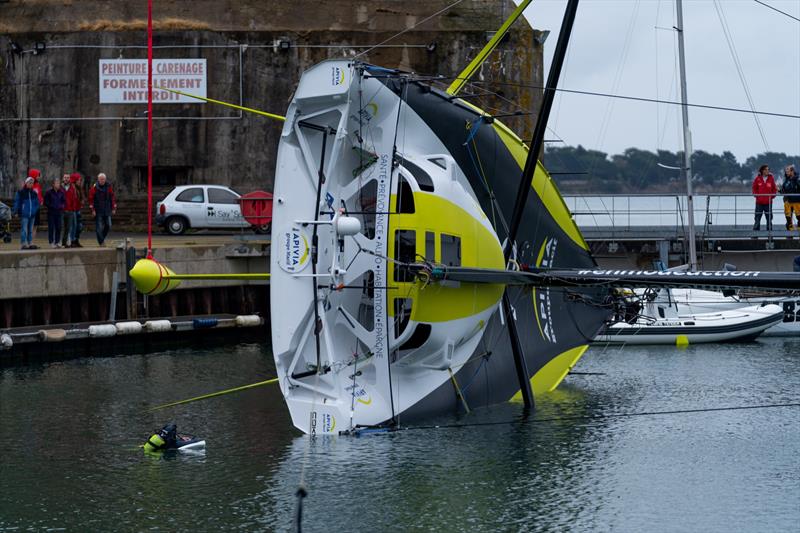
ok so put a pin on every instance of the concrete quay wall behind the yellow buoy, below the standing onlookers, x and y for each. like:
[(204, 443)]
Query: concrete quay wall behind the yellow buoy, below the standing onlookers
[(52, 286)]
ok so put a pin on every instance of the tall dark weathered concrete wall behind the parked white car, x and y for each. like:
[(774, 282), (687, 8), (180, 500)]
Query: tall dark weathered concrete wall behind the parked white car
[(50, 117)]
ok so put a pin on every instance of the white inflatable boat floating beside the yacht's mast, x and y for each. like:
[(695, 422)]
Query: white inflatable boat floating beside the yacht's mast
[(744, 323)]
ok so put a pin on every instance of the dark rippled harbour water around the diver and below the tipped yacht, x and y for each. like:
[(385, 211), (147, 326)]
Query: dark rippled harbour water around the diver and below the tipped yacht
[(70, 431)]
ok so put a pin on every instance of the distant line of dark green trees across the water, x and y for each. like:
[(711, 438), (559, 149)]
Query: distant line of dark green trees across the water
[(577, 169)]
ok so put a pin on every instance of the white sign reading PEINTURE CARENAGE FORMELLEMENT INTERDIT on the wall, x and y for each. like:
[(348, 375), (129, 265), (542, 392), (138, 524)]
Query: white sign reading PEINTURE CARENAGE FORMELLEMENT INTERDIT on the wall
[(124, 81)]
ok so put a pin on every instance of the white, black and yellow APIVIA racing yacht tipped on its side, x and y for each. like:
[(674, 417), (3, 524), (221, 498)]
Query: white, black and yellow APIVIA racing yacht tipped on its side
[(392, 201)]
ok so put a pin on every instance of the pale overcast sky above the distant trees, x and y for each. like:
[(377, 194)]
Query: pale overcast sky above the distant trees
[(599, 60)]
